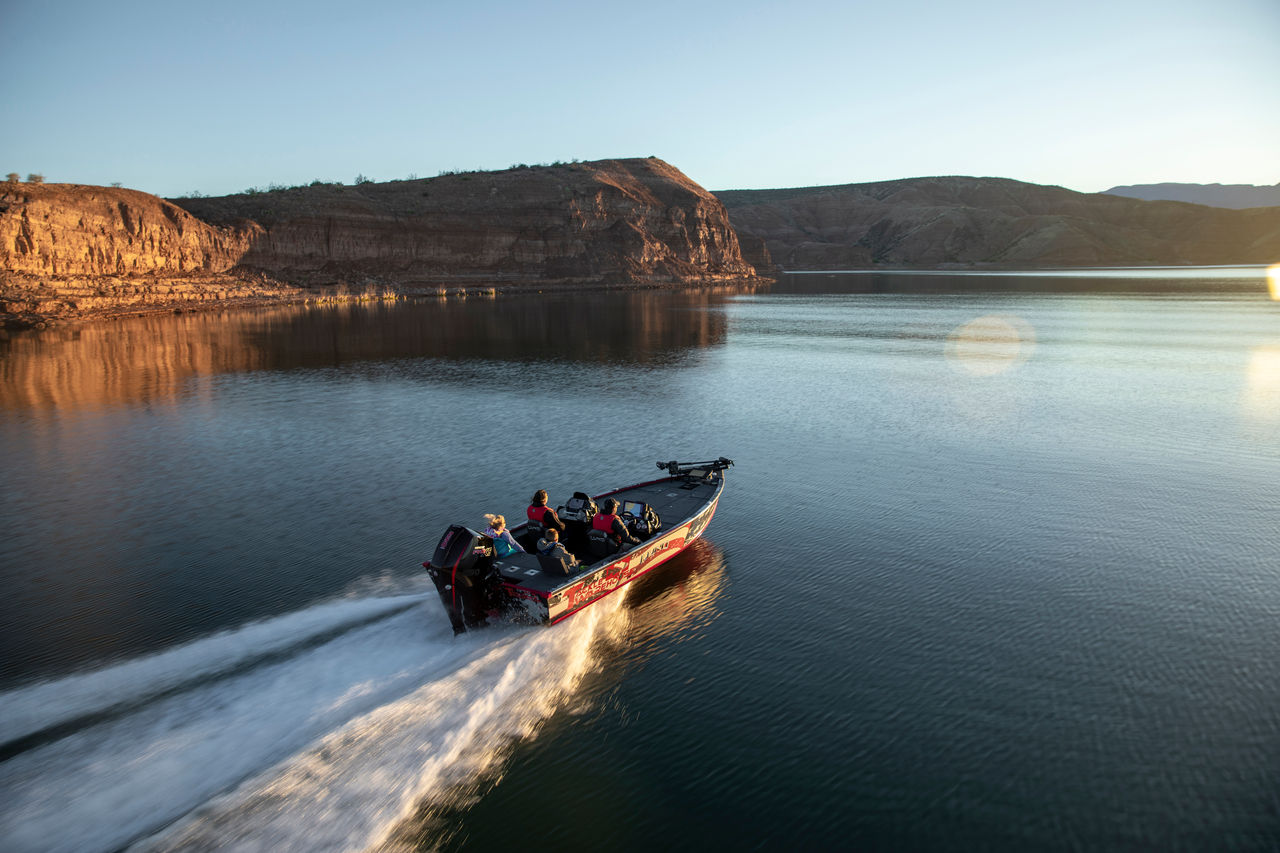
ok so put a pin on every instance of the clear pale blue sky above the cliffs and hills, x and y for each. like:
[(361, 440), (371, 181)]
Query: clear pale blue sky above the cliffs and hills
[(172, 98)]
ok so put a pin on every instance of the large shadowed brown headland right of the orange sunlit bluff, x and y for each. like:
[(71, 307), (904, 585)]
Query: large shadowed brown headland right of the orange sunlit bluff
[(633, 221)]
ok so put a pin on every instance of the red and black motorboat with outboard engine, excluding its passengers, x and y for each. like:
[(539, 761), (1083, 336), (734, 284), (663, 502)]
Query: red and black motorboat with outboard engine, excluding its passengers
[(478, 587)]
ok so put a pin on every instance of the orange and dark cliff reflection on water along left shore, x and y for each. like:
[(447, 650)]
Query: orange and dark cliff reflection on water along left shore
[(147, 361)]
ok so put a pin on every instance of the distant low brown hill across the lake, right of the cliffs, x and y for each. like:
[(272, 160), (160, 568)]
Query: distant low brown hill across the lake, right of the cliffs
[(993, 222)]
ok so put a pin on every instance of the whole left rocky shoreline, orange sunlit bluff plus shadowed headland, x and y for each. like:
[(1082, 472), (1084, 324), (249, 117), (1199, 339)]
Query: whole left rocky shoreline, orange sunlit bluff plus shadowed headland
[(74, 250)]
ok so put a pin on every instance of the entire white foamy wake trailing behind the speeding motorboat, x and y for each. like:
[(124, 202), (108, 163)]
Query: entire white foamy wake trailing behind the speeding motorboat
[(318, 731)]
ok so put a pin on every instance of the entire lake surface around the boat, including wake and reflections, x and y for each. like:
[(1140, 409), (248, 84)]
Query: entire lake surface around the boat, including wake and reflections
[(999, 568)]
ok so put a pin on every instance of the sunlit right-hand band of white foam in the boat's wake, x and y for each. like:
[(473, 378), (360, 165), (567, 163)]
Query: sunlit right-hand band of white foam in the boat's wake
[(353, 790)]
